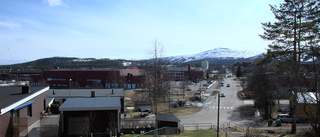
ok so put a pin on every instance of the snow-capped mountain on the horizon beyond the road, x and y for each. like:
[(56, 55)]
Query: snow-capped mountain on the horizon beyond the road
[(218, 53)]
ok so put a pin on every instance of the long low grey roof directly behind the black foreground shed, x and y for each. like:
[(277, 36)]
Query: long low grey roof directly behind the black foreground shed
[(66, 93)]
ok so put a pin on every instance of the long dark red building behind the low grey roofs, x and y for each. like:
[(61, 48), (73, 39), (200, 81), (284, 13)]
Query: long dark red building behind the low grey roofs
[(64, 79)]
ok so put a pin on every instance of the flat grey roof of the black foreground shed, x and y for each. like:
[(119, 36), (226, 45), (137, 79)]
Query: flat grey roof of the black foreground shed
[(97, 103)]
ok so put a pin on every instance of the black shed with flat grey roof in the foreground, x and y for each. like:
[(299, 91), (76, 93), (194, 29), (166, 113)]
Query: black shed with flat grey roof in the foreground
[(83, 116)]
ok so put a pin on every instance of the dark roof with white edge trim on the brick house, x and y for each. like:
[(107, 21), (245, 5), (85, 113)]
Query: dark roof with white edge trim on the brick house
[(11, 97)]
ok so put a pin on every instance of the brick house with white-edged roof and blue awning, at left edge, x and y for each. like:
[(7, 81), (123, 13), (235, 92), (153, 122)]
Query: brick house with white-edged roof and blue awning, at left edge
[(20, 108)]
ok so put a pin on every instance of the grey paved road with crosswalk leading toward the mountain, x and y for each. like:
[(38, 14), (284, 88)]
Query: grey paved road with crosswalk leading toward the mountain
[(228, 107)]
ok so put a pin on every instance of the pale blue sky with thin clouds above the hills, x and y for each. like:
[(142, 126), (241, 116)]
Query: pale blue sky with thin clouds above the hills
[(127, 29)]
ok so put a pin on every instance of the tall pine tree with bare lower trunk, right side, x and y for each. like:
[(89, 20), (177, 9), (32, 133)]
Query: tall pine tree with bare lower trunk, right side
[(289, 36)]
